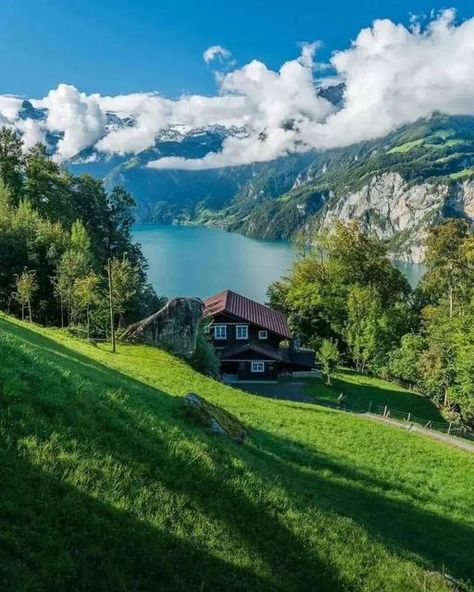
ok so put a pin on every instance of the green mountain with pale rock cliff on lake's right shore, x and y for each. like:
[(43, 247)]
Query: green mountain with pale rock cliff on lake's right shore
[(396, 186)]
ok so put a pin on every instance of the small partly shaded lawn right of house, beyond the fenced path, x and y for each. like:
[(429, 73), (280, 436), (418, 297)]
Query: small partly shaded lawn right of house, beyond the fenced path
[(360, 390)]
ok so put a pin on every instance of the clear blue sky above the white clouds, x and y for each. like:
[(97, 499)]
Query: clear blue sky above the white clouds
[(123, 46)]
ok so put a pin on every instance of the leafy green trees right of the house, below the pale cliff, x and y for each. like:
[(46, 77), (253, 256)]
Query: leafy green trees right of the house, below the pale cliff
[(346, 300)]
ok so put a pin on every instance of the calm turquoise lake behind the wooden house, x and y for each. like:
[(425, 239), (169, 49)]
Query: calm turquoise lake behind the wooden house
[(200, 261)]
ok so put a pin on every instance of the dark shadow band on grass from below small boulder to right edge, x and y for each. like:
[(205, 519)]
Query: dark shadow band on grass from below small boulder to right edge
[(371, 503)]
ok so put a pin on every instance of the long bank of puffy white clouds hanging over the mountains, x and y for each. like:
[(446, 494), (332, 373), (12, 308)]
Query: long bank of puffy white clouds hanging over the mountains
[(393, 74)]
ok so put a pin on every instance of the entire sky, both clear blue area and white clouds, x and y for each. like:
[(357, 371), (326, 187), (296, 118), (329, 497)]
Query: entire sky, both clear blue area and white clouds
[(253, 68)]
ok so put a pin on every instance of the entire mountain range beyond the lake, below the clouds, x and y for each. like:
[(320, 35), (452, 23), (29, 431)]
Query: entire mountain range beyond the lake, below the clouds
[(396, 185)]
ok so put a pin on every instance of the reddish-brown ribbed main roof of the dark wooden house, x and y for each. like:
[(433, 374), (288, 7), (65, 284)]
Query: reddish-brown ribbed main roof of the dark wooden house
[(243, 308)]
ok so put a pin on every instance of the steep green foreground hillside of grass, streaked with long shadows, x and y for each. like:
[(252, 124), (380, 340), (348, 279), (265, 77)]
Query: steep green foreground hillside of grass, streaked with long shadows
[(104, 486)]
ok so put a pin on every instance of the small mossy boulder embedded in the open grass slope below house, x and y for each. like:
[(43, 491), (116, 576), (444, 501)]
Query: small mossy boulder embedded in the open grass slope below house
[(215, 419)]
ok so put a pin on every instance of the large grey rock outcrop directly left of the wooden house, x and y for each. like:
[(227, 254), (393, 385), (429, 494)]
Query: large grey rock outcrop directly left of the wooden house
[(175, 327)]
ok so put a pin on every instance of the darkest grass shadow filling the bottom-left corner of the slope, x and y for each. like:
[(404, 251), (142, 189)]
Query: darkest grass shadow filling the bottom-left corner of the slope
[(54, 537)]
